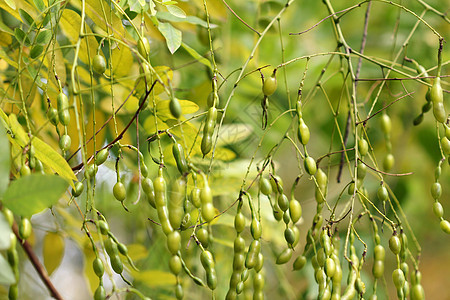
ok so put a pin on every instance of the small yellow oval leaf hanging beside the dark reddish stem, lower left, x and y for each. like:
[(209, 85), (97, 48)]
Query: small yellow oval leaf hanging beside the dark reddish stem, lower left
[(53, 251)]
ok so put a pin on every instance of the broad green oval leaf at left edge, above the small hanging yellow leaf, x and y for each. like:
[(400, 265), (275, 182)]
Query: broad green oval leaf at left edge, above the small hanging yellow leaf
[(34, 193)]
